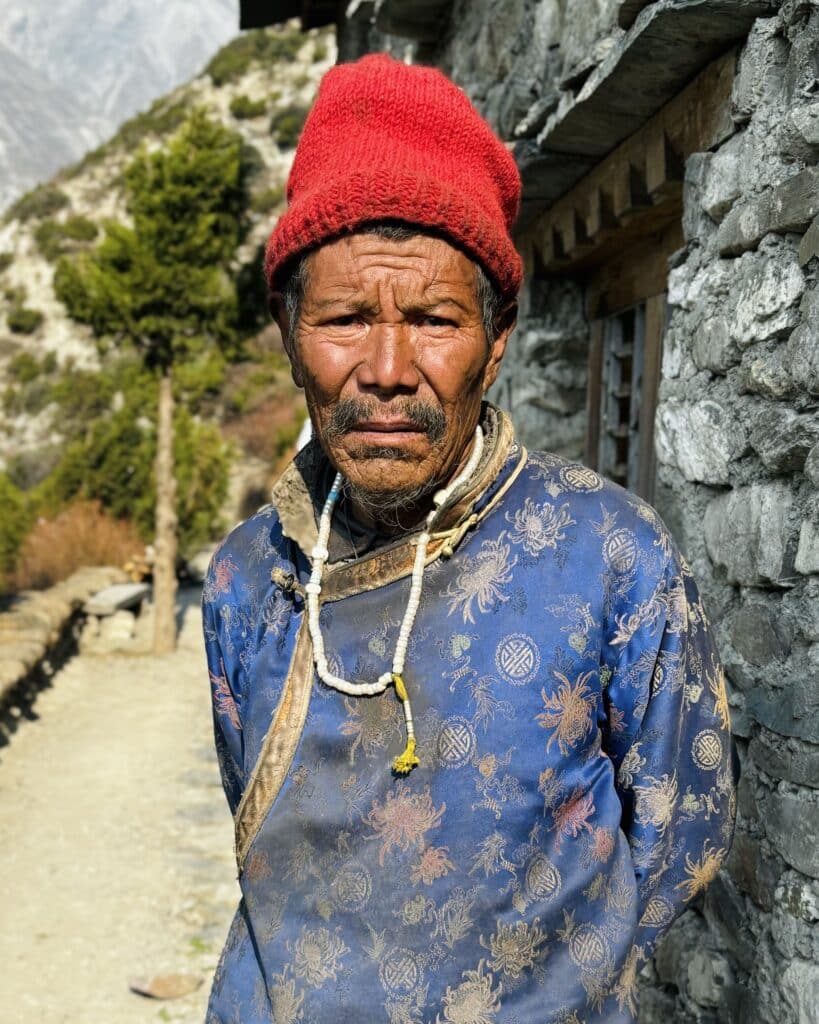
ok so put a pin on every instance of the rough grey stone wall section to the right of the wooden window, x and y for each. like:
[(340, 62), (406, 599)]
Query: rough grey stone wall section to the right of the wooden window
[(738, 441)]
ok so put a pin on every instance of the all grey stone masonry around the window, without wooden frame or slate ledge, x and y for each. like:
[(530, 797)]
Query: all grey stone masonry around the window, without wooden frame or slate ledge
[(737, 439)]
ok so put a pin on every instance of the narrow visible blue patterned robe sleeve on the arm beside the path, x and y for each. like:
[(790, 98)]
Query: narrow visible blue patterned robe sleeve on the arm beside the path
[(225, 671)]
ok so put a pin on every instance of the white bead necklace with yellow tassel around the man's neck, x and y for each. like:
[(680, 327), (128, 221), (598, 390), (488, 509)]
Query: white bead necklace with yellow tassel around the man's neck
[(407, 761)]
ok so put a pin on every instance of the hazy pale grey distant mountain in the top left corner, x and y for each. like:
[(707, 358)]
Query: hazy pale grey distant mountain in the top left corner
[(71, 73)]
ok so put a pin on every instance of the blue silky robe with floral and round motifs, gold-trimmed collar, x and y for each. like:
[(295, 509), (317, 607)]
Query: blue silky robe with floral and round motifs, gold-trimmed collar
[(576, 787)]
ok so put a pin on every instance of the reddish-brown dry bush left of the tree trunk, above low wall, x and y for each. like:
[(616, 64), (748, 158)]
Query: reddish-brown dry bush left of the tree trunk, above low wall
[(83, 535)]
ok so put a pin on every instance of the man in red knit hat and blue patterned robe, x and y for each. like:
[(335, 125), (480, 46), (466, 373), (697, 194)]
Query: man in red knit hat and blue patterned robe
[(471, 721)]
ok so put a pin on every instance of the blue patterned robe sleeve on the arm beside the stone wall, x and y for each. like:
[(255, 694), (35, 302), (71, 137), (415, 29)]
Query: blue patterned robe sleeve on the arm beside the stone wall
[(668, 735)]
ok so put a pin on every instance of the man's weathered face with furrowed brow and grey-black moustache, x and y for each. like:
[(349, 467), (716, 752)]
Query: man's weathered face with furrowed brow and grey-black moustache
[(392, 352)]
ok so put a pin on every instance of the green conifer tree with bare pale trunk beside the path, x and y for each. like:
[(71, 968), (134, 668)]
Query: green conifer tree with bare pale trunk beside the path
[(162, 285)]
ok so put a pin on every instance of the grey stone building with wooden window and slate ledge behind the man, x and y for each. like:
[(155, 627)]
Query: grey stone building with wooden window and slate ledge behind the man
[(670, 338)]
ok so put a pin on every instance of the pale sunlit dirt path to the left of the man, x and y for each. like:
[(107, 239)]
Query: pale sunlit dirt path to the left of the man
[(116, 856)]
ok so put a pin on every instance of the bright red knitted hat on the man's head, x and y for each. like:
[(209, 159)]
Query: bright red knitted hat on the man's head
[(389, 141)]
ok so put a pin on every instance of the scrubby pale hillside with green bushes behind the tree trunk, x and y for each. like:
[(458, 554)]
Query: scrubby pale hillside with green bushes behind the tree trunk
[(78, 407)]
